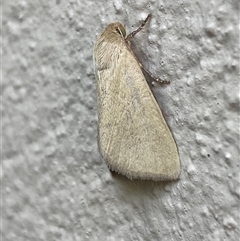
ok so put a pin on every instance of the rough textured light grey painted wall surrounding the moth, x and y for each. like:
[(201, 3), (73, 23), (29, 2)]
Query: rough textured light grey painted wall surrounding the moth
[(54, 184)]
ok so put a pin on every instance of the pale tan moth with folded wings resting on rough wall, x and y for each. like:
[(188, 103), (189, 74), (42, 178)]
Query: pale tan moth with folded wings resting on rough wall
[(133, 137)]
